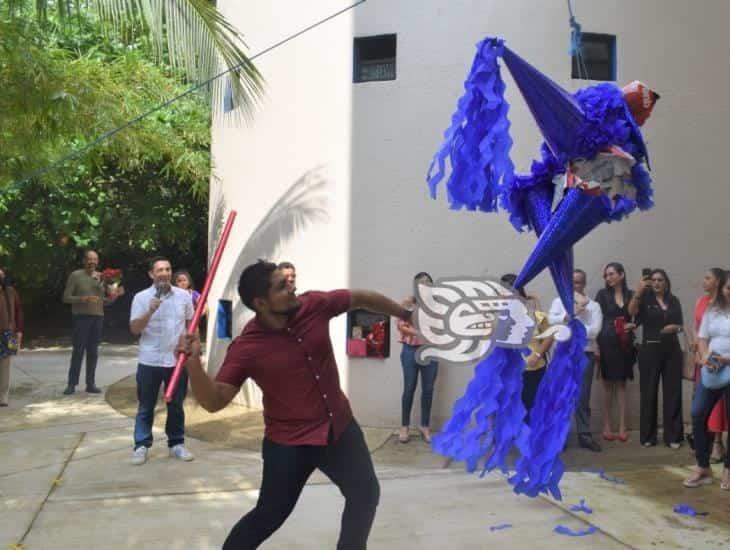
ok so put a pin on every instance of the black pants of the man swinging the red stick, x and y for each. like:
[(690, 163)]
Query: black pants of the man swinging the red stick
[(286, 469)]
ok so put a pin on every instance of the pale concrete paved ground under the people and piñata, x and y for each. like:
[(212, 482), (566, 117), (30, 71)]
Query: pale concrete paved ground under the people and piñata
[(66, 482)]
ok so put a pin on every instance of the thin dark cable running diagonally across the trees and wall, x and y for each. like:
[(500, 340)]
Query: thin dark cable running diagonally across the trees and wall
[(112, 133)]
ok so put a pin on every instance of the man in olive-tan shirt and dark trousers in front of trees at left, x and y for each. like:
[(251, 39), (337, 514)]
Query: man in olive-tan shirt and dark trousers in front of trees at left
[(86, 293)]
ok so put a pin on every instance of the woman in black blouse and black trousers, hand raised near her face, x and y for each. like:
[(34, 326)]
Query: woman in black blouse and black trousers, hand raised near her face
[(660, 314)]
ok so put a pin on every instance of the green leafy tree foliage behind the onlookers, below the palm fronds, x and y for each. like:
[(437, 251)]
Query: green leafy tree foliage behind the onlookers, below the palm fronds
[(143, 191)]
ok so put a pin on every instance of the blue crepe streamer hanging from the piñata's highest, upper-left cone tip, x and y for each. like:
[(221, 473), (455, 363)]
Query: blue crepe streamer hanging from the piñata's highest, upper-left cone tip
[(478, 142)]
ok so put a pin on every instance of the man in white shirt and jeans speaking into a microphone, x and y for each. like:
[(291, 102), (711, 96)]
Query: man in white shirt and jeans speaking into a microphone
[(159, 316)]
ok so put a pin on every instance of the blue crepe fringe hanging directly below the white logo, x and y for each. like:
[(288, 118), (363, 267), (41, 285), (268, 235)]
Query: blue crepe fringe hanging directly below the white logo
[(489, 419)]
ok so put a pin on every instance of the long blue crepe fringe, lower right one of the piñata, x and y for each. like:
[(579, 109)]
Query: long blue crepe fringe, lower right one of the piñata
[(539, 469)]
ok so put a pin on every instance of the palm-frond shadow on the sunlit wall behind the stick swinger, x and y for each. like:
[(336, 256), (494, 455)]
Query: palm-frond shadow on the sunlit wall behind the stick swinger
[(303, 204)]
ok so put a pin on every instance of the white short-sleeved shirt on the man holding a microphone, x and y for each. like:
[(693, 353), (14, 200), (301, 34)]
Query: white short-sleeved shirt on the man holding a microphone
[(160, 337)]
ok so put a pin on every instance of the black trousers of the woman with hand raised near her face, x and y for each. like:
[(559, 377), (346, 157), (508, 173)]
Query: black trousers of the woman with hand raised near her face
[(661, 360)]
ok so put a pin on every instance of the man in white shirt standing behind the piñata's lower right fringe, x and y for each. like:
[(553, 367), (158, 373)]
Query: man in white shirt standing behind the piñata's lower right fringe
[(589, 313)]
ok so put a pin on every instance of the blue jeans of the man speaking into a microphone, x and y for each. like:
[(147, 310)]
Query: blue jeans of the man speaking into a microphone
[(149, 380)]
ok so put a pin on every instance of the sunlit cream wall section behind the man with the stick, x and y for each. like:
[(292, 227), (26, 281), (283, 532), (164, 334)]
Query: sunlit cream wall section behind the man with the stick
[(287, 172)]
